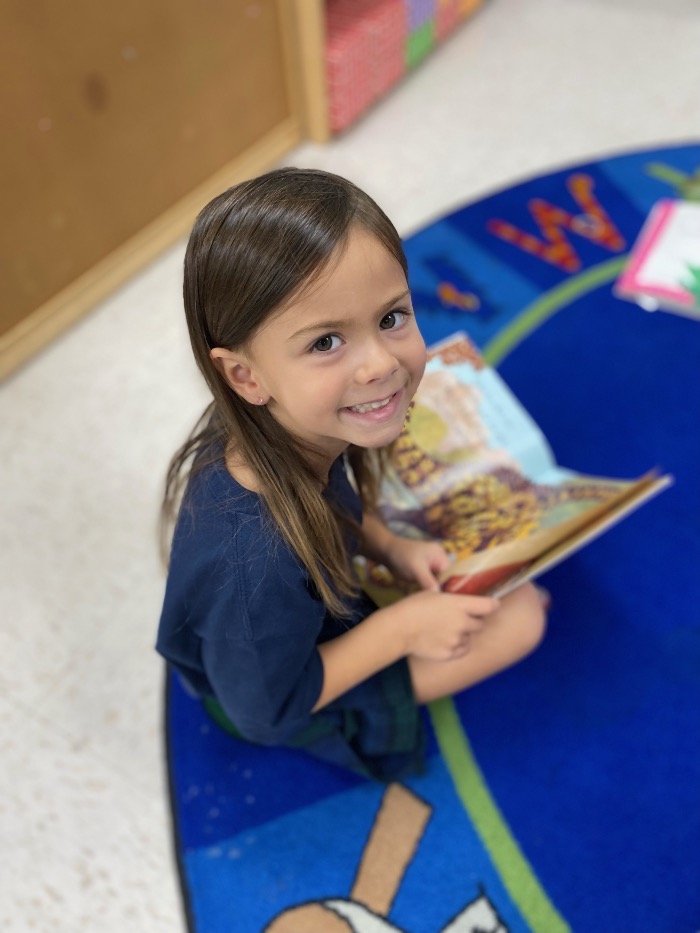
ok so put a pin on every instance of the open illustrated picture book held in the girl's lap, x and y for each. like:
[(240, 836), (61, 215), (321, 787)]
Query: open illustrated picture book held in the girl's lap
[(472, 470)]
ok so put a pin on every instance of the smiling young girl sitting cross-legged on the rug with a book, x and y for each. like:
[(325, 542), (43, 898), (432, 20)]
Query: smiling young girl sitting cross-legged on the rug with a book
[(300, 319)]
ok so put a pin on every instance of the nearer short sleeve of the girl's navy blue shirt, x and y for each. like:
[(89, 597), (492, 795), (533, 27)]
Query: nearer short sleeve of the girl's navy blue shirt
[(259, 645)]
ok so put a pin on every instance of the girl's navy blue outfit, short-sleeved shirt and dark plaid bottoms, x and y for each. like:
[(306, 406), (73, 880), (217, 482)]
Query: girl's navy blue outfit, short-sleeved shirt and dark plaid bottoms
[(242, 622)]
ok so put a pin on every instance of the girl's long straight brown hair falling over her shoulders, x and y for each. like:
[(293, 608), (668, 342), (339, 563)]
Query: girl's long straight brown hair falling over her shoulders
[(251, 250)]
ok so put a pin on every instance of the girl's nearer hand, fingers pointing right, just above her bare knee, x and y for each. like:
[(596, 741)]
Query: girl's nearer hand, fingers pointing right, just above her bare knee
[(439, 626)]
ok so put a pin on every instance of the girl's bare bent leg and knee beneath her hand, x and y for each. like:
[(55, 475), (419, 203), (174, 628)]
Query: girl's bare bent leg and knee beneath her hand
[(508, 635)]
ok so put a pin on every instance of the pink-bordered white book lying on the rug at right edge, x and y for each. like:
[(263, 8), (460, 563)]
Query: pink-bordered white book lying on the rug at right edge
[(663, 271)]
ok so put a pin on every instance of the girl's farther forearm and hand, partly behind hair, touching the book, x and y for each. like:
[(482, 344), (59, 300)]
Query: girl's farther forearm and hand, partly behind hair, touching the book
[(408, 559)]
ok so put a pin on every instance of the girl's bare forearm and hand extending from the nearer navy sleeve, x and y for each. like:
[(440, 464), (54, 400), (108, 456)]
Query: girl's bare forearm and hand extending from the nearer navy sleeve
[(431, 625)]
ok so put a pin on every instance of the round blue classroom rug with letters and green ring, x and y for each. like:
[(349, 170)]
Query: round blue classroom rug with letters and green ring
[(564, 794)]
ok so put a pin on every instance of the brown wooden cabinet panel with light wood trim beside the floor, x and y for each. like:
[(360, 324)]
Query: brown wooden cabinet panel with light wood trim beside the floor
[(120, 121)]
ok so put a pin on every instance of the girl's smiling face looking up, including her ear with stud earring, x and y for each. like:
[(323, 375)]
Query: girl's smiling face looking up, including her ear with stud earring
[(340, 364)]
